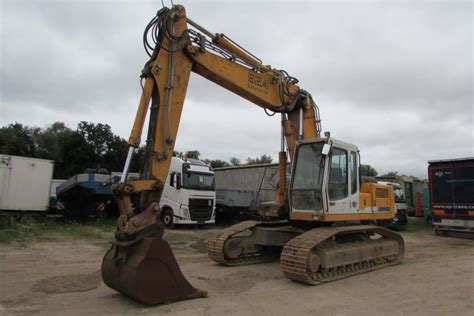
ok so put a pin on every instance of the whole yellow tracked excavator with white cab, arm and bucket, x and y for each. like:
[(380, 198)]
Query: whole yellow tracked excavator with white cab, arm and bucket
[(321, 233)]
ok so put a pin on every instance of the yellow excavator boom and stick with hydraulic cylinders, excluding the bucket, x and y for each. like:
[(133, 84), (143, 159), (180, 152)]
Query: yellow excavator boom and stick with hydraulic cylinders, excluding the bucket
[(180, 50)]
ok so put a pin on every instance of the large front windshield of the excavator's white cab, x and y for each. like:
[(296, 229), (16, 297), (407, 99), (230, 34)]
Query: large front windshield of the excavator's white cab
[(308, 178)]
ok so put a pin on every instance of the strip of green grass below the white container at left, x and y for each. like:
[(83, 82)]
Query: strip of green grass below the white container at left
[(27, 229)]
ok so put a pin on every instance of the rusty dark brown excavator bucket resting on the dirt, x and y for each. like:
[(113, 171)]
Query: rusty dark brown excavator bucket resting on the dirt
[(147, 271)]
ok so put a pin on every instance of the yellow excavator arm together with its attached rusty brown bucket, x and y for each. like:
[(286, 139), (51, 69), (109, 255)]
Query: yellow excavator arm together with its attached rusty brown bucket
[(140, 264)]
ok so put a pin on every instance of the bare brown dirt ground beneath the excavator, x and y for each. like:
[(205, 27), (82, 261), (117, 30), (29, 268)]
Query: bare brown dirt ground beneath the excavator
[(62, 277)]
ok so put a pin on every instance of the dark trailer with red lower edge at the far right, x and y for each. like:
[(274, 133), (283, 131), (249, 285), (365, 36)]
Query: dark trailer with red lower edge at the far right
[(451, 184)]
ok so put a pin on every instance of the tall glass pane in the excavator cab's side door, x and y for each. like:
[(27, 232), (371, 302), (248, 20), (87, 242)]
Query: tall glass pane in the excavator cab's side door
[(338, 183)]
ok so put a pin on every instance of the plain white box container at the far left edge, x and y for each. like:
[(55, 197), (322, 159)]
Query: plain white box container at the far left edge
[(25, 183)]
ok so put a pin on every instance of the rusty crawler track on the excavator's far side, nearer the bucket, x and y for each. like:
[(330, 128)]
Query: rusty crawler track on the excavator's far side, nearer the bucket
[(215, 247)]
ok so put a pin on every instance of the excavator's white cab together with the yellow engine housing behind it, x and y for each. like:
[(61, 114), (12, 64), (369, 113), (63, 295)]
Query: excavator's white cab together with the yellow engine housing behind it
[(325, 184)]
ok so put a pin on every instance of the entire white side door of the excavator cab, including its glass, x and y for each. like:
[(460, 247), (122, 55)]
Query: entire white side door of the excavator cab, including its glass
[(338, 184)]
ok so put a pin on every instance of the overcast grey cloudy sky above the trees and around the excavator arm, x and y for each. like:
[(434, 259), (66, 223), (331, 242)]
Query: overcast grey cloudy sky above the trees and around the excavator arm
[(395, 78)]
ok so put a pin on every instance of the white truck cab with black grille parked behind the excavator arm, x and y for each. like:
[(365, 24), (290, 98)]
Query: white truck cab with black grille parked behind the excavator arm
[(189, 196)]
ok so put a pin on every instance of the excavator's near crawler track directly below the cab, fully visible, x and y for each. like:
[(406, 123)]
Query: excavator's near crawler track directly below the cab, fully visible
[(295, 257)]
